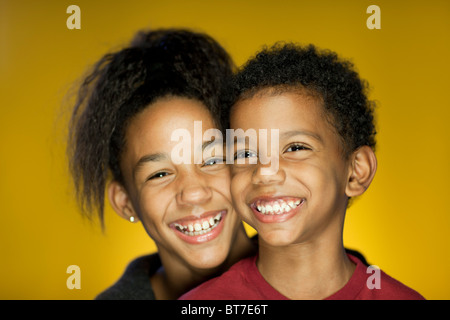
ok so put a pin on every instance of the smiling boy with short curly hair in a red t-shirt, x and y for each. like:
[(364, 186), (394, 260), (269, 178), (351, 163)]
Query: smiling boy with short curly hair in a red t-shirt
[(325, 124)]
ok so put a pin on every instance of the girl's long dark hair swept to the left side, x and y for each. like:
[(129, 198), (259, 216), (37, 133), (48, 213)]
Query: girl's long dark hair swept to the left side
[(156, 64)]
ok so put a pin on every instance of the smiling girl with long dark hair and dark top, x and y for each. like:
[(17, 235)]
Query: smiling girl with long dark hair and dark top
[(120, 140)]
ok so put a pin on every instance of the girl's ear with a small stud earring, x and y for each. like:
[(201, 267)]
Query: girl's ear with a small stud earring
[(120, 201)]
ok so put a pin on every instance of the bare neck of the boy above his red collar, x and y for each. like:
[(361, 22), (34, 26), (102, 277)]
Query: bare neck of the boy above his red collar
[(312, 270)]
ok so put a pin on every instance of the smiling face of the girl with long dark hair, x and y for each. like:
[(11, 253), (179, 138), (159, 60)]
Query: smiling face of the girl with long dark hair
[(185, 208)]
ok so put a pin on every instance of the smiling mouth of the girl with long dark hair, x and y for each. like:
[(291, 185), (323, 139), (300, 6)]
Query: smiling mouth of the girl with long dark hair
[(195, 230)]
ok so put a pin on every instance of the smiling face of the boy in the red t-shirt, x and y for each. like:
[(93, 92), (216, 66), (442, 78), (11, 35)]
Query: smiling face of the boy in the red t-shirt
[(305, 199)]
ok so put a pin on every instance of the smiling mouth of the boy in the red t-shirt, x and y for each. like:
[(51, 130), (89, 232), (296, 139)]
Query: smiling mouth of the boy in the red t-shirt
[(279, 209)]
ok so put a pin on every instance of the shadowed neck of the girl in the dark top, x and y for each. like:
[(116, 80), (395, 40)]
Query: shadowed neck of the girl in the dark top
[(175, 277)]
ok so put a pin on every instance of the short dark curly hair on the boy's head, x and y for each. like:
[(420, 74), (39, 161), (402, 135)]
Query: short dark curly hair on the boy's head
[(291, 67)]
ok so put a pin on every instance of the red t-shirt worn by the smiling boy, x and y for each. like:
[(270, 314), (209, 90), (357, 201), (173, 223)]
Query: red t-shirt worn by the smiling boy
[(244, 282)]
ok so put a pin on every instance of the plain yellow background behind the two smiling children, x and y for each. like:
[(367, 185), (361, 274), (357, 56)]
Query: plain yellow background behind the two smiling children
[(402, 223)]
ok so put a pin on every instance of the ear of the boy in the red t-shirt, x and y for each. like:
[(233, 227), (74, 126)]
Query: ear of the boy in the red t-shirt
[(362, 171)]
